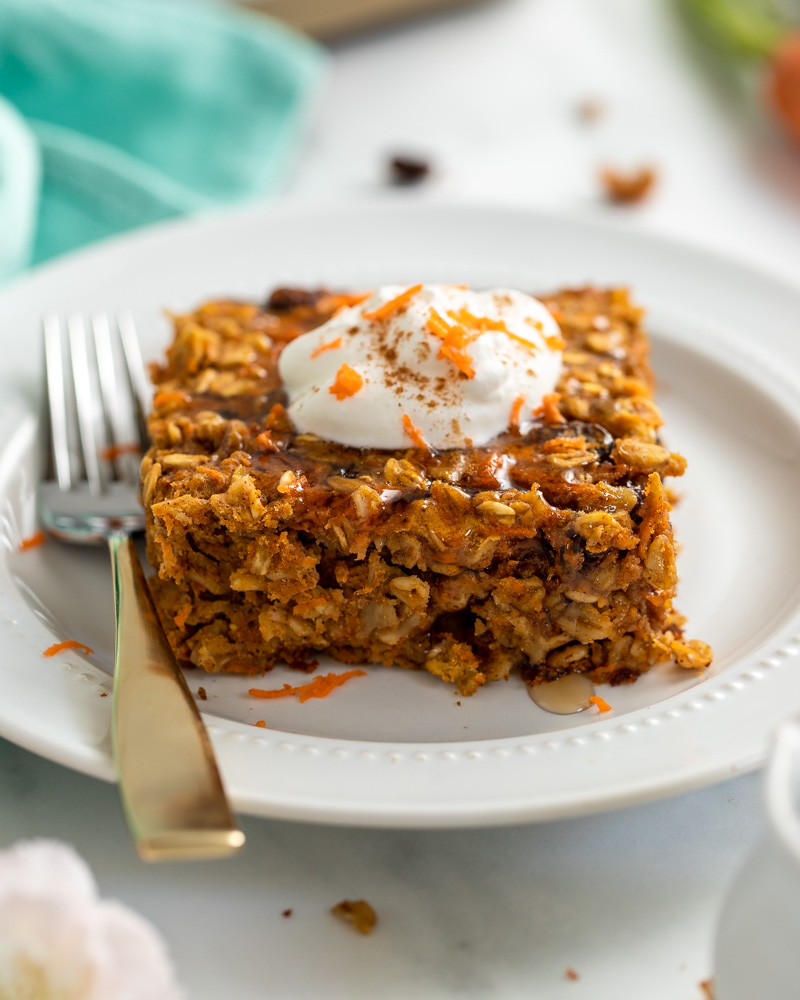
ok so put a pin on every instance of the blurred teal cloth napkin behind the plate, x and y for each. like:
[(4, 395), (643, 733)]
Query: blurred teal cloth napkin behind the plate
[(116, 113)]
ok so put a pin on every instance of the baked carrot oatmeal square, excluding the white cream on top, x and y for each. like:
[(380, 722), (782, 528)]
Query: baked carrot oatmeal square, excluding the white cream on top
[(550, 552)]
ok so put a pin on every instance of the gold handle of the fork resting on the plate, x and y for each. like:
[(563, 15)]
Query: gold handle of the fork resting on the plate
[(170, 786)]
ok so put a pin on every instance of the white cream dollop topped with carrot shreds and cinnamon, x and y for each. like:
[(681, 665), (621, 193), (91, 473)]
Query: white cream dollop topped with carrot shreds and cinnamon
[(428, 365)]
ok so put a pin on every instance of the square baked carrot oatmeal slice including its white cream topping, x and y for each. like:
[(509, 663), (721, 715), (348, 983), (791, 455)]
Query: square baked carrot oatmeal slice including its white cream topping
[(463, 482)]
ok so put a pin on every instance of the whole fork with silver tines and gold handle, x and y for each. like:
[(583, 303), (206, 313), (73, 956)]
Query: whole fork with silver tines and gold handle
[(91, 429)]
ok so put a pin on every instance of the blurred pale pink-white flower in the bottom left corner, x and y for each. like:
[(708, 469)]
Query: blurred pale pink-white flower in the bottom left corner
[(60, 941)]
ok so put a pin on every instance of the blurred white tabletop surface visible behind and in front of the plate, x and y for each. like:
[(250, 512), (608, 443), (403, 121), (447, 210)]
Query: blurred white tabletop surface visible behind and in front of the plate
[(628, 900)]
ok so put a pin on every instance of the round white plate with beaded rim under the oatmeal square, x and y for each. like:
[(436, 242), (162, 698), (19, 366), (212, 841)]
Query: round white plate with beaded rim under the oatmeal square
[(398, 748)]
